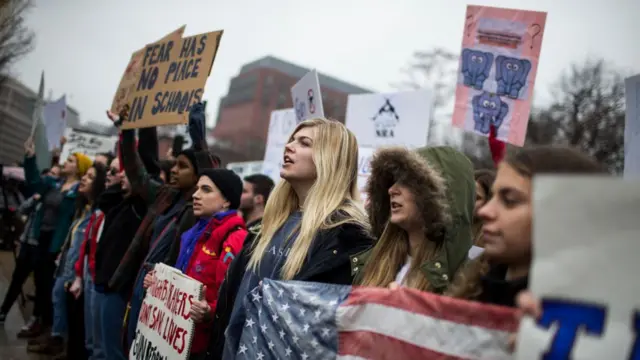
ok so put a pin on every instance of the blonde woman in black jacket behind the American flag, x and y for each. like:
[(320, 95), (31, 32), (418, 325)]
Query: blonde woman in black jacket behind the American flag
[(312, 222)]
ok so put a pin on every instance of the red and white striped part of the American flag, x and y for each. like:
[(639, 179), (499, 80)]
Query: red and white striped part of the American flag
[(409, 324)]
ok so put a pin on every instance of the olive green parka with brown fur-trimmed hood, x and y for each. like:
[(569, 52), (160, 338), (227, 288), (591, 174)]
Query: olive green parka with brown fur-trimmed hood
[(448, 170)]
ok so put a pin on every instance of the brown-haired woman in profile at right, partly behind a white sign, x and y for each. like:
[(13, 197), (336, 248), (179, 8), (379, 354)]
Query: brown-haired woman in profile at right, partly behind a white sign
[(502, 271)]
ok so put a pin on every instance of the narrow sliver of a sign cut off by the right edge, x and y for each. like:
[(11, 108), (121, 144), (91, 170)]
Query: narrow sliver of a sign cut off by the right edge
[(632, 128)]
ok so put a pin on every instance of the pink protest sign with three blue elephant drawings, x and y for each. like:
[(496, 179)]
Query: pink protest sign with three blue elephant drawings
[(498, 66)]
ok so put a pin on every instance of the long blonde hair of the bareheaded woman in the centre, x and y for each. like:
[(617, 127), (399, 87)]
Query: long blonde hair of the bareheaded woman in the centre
[(335, 155)]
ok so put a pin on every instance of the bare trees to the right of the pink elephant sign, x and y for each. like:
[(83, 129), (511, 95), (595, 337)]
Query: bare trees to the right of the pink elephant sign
[(588, 113)]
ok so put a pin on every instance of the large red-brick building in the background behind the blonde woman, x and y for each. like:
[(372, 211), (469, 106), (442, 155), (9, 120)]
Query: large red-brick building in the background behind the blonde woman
[(261, 87)]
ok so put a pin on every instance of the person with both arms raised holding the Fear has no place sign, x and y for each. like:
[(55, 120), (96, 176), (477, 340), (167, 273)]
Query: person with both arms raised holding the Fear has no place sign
[(169, 209)]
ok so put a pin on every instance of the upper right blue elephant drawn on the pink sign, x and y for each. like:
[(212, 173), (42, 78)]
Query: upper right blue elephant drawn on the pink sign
[(511, 75)]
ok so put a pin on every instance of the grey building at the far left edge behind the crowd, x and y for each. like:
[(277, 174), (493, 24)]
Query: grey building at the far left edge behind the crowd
[(16, 111)]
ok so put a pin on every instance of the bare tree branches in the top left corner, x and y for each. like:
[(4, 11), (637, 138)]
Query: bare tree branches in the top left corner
[(15, 39)]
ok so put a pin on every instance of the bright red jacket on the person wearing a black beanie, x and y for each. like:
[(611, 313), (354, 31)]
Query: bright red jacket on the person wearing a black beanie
[(209, 265)]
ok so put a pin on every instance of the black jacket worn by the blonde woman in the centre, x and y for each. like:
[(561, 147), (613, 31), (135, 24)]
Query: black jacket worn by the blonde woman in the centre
[(331, 265)]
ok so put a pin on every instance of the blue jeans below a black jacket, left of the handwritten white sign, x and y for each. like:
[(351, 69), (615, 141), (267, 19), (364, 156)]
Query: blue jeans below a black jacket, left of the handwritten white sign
[(111, 307)]
